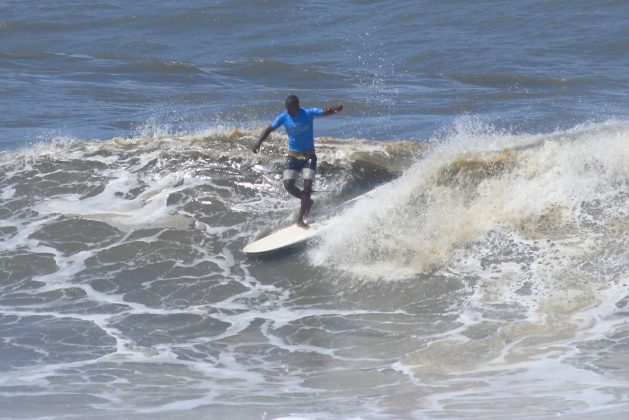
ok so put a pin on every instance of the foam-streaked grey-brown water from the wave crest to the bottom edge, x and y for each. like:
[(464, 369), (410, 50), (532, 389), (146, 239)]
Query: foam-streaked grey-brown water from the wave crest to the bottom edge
[(487, 273)]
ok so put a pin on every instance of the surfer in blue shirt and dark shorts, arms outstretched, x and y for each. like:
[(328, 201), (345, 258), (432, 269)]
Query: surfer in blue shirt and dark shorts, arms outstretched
[(298, 123)]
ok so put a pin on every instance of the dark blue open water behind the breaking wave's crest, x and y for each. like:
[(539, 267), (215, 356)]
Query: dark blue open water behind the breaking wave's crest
[(404, 69)]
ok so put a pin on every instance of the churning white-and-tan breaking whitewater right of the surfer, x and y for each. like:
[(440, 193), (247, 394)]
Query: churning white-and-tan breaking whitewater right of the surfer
[(538, 187)]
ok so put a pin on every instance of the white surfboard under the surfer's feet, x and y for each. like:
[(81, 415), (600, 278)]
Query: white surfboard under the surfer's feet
[(293, 235)]
